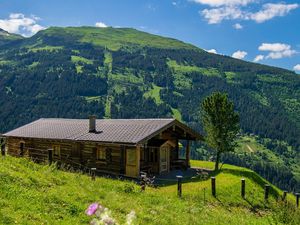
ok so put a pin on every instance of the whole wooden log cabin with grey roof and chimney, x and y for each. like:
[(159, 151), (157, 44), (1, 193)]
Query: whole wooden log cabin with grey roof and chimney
[(113, 146)]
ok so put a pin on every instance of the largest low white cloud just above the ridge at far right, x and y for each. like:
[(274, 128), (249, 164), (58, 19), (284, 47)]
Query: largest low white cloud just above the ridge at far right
[(277, 50)]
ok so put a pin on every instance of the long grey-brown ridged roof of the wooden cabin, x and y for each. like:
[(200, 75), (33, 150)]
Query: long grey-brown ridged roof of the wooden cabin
[(131, 131)]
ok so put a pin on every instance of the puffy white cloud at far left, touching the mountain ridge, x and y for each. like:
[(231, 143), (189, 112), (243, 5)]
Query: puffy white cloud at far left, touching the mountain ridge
[(20, 24)]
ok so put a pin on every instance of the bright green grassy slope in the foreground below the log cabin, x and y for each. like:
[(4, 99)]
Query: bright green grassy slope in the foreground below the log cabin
[(39, 194)]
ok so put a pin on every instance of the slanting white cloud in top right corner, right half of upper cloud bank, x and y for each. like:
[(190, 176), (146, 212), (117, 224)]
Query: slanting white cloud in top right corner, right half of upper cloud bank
[(270, 10)]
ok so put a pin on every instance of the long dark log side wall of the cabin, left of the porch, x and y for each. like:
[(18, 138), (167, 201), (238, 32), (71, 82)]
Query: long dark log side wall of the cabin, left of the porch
[(77, 154)]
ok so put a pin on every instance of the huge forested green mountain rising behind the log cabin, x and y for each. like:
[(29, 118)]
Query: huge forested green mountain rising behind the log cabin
[(125, 73)]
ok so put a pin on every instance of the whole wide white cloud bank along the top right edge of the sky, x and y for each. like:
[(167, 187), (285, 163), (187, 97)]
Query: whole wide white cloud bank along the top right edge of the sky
[(231, 10)]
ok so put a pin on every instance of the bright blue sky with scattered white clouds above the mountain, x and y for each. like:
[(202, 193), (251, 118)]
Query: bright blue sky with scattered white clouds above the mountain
[(265, 30)]
